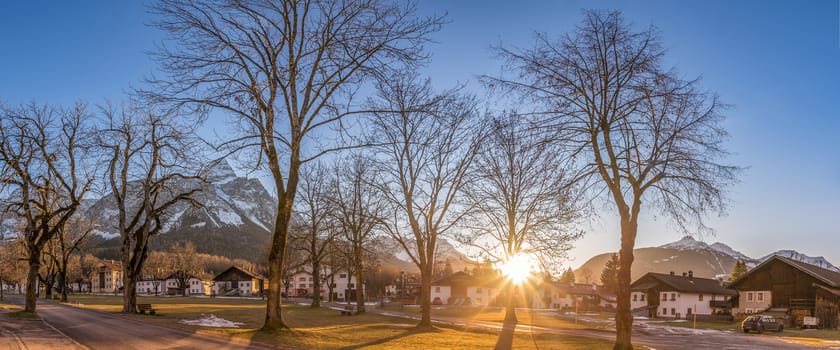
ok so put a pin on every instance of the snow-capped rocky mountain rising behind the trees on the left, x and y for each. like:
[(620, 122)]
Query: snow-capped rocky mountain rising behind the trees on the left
[(234, 221)]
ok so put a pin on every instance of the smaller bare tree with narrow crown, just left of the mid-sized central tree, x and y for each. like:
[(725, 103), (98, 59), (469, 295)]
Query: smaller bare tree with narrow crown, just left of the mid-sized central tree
[(359, 214)]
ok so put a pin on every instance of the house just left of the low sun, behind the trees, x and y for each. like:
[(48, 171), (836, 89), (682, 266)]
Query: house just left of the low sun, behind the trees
[(461, 288)]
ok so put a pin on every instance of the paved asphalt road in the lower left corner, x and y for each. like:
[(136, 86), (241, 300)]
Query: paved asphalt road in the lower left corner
[(102, 331)]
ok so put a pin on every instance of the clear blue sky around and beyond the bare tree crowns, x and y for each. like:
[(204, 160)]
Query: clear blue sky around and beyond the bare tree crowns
[(776, 62)]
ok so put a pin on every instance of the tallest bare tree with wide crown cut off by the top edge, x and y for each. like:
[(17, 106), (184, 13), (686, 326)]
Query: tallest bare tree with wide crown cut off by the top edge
[(286, 70)]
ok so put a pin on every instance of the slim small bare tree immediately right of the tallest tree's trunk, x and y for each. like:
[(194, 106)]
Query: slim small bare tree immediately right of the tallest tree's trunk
[(314, 232)]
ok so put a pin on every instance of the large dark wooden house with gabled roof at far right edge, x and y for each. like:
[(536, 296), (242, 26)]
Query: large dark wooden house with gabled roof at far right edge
[(791, 287)]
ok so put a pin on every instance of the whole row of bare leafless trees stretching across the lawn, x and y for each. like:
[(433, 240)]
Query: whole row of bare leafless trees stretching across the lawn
[(599, 118)]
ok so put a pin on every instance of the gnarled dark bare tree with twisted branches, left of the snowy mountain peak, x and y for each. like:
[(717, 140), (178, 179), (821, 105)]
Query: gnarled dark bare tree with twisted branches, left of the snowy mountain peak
[(152, 167)]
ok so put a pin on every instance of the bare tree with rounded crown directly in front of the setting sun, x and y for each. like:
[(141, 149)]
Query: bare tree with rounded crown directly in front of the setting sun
[(522, 199)]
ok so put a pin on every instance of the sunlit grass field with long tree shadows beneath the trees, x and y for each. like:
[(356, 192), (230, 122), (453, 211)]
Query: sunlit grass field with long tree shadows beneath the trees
[(324, 328)]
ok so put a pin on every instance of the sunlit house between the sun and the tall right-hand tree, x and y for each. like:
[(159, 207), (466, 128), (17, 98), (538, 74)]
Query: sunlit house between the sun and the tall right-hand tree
[(572, 296)]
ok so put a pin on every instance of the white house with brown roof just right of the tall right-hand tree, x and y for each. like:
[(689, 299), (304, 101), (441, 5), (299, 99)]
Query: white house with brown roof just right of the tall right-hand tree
[(675, 296)]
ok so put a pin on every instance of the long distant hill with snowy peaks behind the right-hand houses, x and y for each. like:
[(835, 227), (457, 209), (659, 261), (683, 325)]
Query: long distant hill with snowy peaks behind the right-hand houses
[(705, 260)]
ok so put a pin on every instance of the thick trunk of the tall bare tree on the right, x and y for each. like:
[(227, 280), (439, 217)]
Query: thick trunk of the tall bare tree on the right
[(623, 315)]
